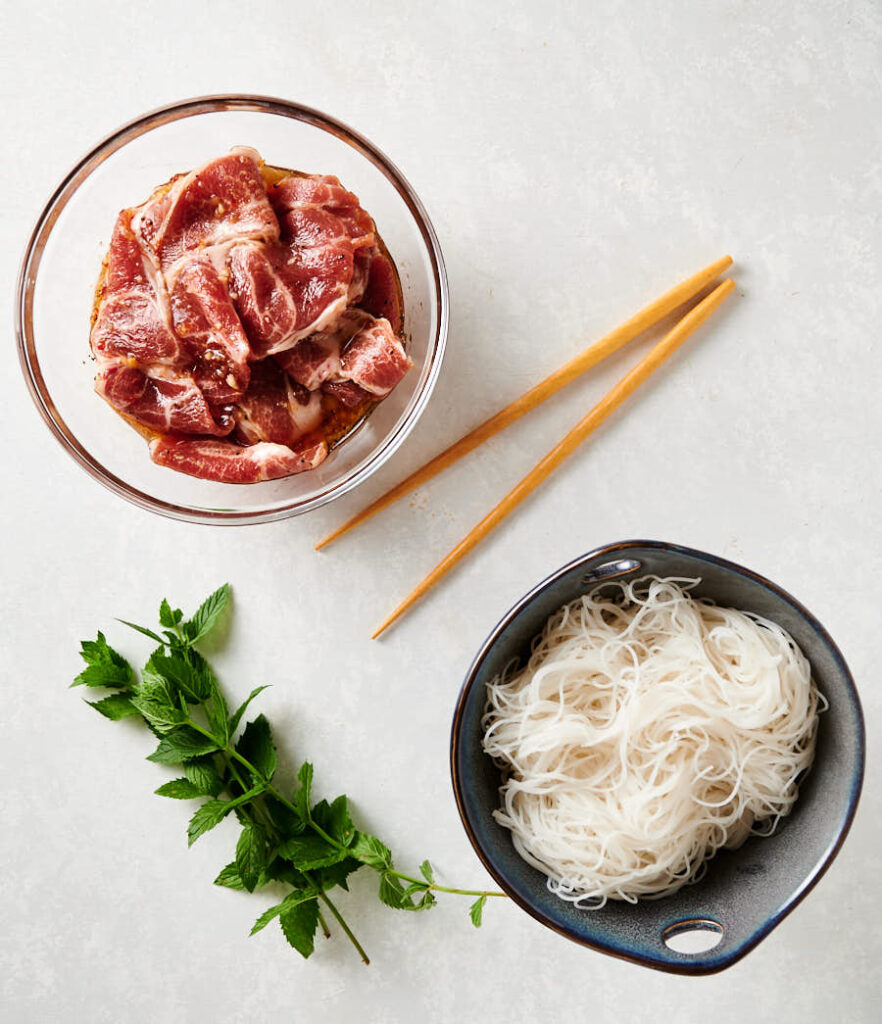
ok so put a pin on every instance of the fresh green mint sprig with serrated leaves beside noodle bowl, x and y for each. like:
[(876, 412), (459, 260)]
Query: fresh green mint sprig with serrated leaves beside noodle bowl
[(313, 848)]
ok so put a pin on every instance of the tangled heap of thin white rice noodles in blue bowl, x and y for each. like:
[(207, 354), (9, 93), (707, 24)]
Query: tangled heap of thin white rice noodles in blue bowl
[(648, 731)]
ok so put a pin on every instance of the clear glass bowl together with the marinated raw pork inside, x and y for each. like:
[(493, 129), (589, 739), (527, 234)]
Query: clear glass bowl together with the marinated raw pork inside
[(271, 314)]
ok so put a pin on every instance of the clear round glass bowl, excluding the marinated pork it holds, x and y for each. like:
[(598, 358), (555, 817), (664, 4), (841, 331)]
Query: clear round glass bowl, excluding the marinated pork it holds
[(64, 259)]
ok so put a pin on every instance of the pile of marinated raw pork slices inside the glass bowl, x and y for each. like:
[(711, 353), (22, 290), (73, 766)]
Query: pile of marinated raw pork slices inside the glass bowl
[(246, 320)]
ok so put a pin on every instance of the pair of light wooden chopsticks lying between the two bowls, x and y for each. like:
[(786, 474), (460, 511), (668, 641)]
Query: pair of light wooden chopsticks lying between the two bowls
[(565, 375)]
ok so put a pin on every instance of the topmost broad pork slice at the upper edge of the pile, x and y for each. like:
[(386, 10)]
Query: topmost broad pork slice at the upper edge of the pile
[(222, 203)]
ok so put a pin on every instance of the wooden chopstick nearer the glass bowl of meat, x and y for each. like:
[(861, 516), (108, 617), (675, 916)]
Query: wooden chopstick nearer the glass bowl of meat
[(544, 390)]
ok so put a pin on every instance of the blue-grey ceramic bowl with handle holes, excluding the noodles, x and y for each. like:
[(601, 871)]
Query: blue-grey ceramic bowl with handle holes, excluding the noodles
[(745, 892)]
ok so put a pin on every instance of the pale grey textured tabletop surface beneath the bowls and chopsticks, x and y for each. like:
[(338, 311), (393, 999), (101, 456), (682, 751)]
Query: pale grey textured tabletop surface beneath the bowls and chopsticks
[(575, 164)]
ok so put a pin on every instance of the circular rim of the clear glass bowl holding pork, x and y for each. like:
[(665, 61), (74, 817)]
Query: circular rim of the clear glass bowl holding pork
[(64, 193)]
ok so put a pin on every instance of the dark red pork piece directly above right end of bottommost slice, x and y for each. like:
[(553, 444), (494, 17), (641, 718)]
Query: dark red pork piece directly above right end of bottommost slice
[(276, 409)]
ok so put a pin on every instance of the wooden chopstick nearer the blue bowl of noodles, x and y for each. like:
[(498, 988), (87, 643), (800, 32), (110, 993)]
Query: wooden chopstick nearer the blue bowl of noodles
[(629, 383)]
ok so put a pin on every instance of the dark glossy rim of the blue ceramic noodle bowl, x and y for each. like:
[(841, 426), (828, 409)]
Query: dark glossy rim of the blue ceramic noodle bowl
[(696, 966)]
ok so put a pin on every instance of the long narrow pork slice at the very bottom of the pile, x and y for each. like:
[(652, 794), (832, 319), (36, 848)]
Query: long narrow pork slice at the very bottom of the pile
[(229, 463)]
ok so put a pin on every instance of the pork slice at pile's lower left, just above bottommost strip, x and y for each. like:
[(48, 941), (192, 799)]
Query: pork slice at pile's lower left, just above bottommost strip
[(161, 404)]
